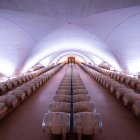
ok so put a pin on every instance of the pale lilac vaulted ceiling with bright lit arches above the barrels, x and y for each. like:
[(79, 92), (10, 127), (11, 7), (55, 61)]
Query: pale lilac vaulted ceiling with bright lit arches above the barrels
[(31, 30)]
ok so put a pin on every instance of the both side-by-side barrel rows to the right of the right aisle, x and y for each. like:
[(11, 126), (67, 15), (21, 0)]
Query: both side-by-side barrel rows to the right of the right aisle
[(124, 88)]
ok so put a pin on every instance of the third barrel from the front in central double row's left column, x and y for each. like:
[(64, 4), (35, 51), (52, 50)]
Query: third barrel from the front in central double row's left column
[(62, 98)]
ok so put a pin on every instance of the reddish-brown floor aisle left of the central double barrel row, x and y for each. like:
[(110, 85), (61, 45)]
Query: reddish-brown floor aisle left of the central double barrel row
[(24, 123)]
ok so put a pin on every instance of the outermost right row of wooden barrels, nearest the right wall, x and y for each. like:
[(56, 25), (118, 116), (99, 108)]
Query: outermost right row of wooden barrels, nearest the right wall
[(130, 82)]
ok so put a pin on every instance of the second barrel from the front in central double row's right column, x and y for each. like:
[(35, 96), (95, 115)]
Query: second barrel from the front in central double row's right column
[(83, 106)]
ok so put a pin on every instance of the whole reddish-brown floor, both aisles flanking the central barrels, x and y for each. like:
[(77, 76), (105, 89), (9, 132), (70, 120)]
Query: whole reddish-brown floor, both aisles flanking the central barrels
[(24, 123)]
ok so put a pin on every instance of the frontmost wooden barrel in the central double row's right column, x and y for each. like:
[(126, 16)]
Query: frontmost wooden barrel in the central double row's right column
[(87, 123)]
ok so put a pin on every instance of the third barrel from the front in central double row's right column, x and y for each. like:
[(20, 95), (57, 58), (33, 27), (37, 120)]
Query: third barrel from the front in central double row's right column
[(80, 97)]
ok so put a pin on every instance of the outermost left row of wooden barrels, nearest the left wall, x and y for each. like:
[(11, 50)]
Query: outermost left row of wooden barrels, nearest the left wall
[(18, 81)]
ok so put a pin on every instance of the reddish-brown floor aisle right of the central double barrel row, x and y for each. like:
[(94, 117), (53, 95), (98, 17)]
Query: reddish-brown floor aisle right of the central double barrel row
[(118, 122)]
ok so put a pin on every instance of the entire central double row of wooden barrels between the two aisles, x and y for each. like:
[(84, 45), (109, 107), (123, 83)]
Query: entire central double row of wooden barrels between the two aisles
[(73, 102)]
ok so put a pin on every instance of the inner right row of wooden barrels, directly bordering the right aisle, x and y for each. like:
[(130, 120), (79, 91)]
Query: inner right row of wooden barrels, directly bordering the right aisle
[(127, 96)]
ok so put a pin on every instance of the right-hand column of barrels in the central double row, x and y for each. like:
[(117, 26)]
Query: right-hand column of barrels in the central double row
[(85, 119)]
